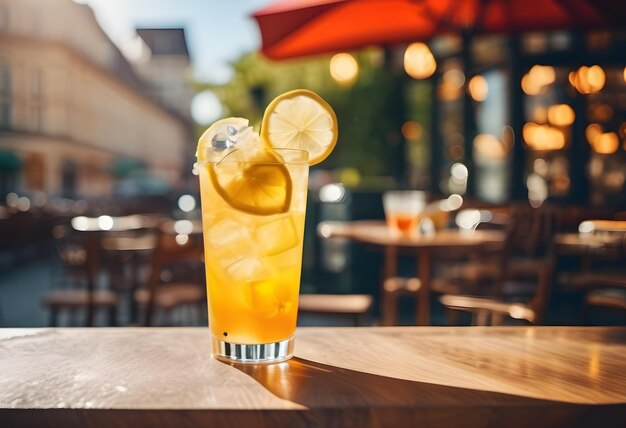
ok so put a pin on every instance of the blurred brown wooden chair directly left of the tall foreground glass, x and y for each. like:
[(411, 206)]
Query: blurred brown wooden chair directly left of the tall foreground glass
[(173, 251)]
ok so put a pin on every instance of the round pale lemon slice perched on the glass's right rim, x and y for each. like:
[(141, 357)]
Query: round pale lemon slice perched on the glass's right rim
[(300, 119)]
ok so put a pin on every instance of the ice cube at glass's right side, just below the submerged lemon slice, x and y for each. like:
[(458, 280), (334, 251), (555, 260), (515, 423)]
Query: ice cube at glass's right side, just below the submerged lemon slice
[(278, 235)]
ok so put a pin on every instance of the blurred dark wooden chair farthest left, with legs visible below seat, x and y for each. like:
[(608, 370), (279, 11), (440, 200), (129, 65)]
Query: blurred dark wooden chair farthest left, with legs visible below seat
[(78, 280)]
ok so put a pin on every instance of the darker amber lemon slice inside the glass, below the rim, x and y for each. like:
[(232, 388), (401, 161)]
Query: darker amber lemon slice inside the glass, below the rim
[(253, 181)]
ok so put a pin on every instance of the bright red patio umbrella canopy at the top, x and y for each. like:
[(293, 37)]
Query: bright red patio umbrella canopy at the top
[(295, 28)]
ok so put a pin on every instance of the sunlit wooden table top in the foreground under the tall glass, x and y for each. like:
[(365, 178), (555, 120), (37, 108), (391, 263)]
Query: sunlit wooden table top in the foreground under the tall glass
[(380, 376)]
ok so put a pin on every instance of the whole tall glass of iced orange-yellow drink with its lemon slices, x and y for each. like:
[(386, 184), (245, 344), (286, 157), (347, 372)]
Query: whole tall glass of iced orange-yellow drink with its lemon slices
[(253, 193)]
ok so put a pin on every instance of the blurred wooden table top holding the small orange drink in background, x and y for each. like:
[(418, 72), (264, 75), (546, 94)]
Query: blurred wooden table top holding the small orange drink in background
[(376, 232)]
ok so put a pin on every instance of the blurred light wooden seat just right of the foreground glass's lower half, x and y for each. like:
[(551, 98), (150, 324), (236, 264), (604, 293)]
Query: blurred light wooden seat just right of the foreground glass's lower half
[(353, 306)]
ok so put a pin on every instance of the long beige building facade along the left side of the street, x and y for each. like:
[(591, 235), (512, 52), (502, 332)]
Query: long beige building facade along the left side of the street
[(71, 105)]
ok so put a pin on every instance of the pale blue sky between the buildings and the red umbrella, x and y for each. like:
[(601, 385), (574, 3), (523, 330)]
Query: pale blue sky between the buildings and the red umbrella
[(217, 31)]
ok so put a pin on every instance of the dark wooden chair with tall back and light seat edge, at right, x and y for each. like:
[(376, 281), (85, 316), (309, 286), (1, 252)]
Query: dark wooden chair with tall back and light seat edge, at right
[(516, 282)]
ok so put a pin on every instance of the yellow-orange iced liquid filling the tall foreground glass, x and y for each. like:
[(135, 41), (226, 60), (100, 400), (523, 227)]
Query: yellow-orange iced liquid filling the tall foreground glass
[(253, 261)]
